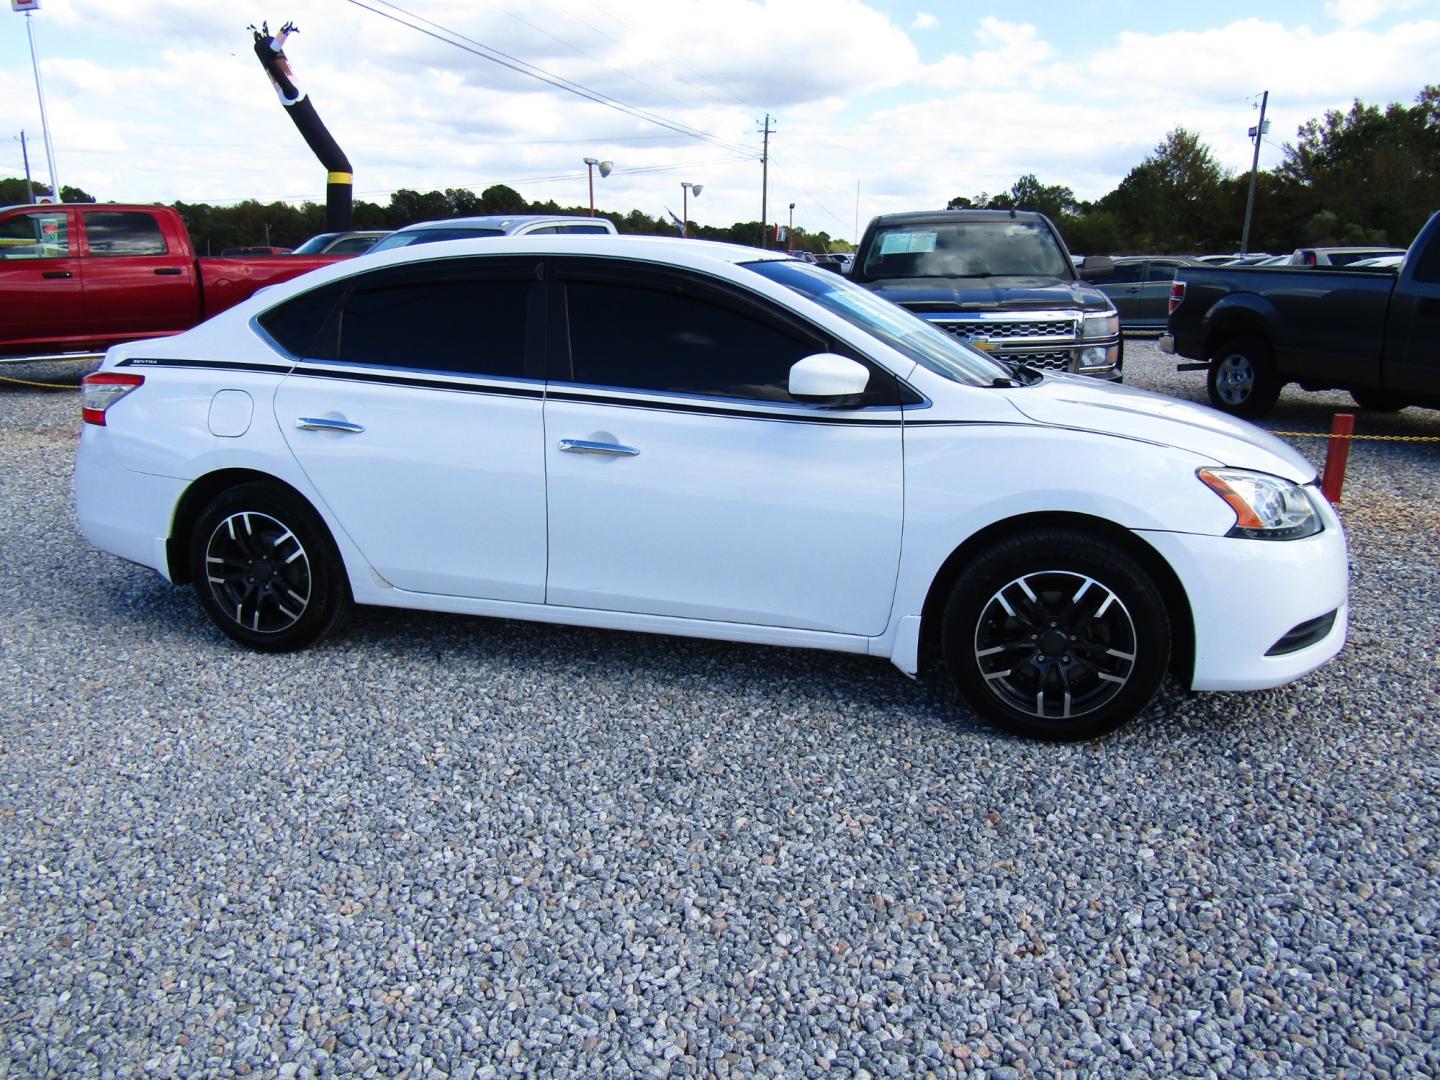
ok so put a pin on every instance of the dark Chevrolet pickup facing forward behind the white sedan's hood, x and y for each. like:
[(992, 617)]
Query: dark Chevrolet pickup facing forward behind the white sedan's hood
[(999, 280)]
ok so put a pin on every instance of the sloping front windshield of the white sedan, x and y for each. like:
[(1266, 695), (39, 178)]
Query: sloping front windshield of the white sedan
[(906, 333)]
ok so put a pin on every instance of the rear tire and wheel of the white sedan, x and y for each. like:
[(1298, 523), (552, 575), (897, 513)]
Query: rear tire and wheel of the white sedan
[(267, 570)]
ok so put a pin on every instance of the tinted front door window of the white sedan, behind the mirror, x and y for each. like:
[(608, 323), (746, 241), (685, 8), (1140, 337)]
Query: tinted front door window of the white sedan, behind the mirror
[(656, 341)]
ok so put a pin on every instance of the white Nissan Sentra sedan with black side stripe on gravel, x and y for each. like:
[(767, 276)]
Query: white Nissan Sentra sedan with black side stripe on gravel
[(714, 441)]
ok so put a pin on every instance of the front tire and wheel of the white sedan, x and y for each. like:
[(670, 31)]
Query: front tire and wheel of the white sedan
[(1056, 634)]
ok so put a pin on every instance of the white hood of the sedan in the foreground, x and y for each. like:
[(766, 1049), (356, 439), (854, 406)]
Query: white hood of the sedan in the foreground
[(1079, 402)]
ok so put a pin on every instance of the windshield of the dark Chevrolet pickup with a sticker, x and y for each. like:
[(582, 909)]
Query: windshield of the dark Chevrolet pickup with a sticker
[(966, 250)]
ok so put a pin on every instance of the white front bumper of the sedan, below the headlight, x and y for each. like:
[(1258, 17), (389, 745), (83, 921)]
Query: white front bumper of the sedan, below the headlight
[(1248, 595)]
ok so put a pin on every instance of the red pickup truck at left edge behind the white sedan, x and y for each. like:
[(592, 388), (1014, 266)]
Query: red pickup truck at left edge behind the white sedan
[(84, 277)]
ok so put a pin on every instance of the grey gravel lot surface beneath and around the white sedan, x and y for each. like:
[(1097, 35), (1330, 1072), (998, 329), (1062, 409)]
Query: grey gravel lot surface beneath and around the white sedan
[(444, 846)]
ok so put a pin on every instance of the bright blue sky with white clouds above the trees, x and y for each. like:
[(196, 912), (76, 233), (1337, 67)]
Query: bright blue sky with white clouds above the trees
[(876, 106)]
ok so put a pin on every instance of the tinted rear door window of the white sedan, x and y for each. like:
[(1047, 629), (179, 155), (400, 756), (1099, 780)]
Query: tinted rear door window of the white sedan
[(473, 326)]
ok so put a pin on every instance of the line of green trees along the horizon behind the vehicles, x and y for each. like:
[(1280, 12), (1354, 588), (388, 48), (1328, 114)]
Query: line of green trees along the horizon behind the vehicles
[(1370, 175)]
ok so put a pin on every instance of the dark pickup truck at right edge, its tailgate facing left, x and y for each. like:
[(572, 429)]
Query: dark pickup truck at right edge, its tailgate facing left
[(1374, 333)]
